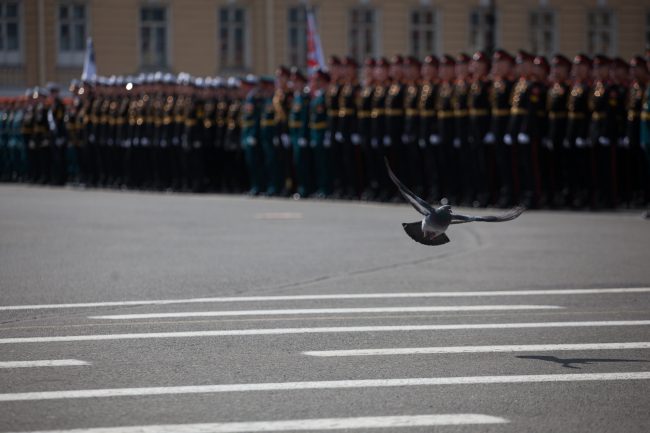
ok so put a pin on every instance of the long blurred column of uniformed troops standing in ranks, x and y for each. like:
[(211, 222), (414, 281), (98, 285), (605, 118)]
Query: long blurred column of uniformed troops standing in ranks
[(481, 130)]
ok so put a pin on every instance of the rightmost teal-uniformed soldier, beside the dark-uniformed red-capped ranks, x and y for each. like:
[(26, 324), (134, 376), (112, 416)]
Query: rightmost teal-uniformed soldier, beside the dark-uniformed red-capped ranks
[(318, 126)]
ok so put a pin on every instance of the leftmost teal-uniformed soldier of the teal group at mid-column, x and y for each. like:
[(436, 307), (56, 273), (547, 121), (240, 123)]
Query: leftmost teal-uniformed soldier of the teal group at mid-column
[(250, 133)]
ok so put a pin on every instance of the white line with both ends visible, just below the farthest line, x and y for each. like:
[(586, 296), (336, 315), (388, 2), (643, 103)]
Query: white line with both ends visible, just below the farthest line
[(295, 312)]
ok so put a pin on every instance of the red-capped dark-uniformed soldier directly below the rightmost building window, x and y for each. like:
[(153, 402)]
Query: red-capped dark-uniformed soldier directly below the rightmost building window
[(603, 134)]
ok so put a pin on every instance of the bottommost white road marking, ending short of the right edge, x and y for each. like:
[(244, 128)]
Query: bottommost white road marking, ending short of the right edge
[(302, 424)]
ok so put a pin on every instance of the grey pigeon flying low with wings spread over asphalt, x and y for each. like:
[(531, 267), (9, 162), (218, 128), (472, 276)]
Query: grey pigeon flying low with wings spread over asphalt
[(431, 230)]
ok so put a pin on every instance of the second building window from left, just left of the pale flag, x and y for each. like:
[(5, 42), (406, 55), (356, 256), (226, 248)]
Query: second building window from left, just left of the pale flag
[(72, 33)]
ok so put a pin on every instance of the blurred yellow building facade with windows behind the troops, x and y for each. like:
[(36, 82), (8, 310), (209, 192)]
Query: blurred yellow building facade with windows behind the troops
[(44, 40)]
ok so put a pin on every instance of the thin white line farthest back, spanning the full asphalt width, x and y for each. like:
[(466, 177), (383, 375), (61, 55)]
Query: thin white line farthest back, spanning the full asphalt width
[(341, 296)]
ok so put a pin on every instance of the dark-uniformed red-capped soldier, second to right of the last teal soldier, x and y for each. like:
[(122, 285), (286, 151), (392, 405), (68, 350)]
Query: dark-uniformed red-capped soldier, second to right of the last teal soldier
[(347, 134)]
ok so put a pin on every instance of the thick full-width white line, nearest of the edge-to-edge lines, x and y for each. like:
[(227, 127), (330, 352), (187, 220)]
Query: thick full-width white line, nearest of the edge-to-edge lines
[(316, 385)]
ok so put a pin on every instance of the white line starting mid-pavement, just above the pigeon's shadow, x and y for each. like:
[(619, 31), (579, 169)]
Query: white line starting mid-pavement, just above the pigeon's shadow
[(478, 349)]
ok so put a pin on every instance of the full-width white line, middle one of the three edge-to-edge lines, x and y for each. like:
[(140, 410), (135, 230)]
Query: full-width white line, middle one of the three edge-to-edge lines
[(321, 330)]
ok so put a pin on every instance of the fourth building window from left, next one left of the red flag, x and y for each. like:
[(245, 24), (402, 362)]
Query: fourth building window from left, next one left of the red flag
[(232, 35)]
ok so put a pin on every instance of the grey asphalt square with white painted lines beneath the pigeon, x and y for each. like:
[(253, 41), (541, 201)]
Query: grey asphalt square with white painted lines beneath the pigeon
[(127, 312)]
